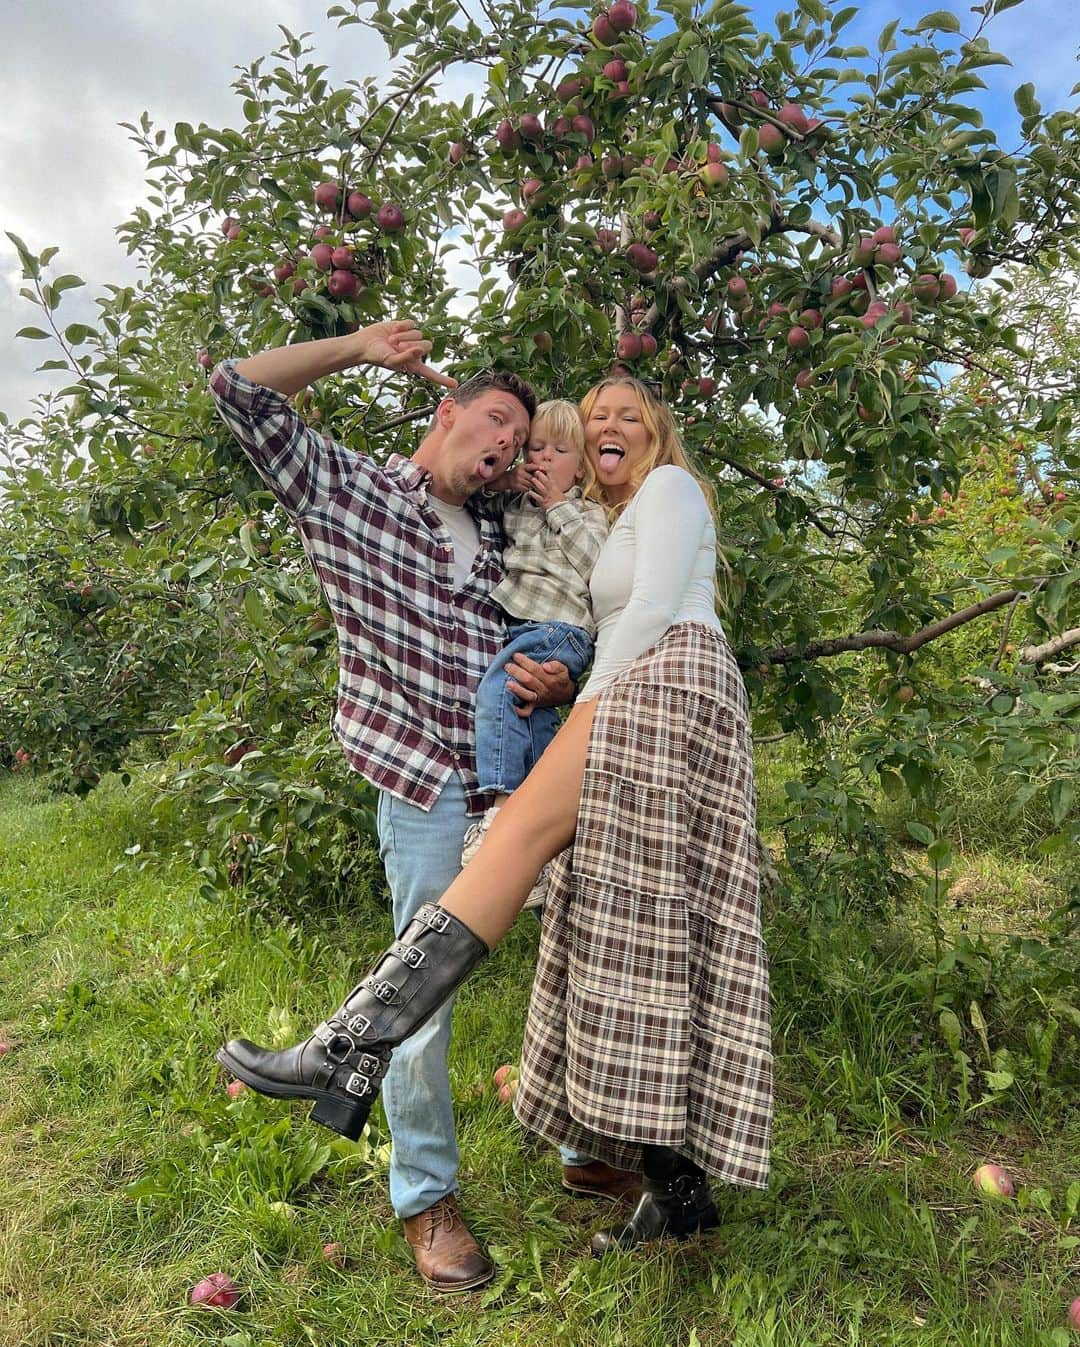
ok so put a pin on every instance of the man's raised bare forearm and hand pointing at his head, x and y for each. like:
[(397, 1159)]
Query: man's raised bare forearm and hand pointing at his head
[(394, 346)]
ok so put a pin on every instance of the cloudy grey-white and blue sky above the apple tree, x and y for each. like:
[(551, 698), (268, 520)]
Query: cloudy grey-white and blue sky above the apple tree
[(69, 174)]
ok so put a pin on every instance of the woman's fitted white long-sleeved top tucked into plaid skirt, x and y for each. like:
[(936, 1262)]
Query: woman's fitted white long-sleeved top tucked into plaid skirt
[(656, 569)]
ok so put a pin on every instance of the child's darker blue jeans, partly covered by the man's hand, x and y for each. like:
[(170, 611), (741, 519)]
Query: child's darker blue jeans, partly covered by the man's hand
[(508, 746)]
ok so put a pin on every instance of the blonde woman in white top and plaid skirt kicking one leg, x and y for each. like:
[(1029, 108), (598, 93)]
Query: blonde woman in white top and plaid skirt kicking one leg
[(647, 1042)]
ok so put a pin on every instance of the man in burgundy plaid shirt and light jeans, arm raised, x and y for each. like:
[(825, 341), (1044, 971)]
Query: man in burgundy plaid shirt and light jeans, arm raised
[(407, 568)]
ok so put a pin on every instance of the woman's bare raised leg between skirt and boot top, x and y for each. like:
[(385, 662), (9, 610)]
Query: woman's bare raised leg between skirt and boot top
[(535, 824)]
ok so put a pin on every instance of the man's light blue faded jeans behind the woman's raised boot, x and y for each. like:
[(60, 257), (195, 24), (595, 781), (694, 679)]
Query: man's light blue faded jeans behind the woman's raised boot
[(422, 855)]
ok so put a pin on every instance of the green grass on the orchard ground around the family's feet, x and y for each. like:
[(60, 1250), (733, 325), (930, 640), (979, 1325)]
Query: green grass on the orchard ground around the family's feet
[(127, 1174)]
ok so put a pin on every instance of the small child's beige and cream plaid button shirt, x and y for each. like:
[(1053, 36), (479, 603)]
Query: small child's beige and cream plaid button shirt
[(549, 560)]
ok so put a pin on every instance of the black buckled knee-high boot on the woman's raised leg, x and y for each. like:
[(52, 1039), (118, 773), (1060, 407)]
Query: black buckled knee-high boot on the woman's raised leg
[(341, 1066)]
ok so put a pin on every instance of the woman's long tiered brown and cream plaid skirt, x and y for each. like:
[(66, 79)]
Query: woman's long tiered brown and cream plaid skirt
[(650, 1012)]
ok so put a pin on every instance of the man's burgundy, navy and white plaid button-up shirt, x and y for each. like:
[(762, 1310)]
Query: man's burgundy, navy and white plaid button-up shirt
[(411, 649)]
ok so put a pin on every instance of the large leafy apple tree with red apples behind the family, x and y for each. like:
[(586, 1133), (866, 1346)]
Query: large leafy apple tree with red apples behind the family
[(801, 243)]
